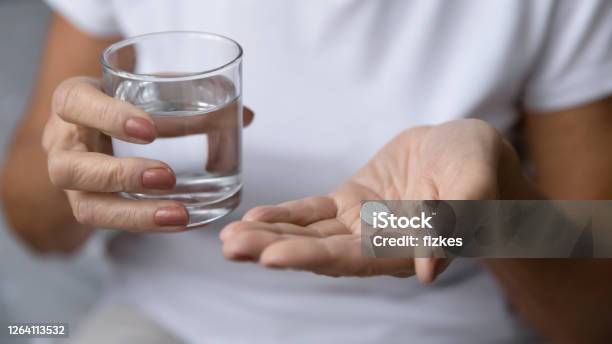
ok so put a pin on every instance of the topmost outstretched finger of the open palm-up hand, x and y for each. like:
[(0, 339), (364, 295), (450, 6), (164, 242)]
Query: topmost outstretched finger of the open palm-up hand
[(301, 212)]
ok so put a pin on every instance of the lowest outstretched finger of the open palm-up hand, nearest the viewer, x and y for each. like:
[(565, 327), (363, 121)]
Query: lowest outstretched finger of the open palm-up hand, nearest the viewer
[(338, 255)]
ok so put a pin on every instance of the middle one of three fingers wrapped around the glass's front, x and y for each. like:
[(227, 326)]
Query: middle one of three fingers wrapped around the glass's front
[(98, 172)]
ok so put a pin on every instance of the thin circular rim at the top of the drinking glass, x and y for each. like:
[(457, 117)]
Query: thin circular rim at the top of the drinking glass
[(164, 78)]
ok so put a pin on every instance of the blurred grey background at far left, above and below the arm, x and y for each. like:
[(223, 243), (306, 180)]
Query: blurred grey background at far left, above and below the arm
[(35, 288)]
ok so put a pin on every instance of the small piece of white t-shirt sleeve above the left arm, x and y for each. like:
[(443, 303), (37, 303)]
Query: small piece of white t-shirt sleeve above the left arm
[(94, 17)]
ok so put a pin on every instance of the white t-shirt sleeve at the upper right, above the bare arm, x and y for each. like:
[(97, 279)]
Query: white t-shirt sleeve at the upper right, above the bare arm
[(574, 65)]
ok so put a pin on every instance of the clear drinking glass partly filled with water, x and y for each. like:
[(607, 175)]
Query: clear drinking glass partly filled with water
[(191, 85)]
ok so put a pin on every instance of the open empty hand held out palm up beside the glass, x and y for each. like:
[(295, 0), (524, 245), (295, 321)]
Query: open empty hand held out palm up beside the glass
[(463, 159)]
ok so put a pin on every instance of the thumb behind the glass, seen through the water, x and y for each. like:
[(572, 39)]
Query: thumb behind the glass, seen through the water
[(222, 119)]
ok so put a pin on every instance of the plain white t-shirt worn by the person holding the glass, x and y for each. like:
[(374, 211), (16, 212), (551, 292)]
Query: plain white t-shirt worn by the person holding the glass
[(331, 81)]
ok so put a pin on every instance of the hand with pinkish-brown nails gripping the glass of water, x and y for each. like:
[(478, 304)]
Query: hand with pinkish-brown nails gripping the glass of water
[(77, 141)]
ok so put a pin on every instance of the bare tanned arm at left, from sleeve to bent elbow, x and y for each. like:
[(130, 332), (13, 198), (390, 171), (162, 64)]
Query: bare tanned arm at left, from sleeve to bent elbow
[(37, 211)]
